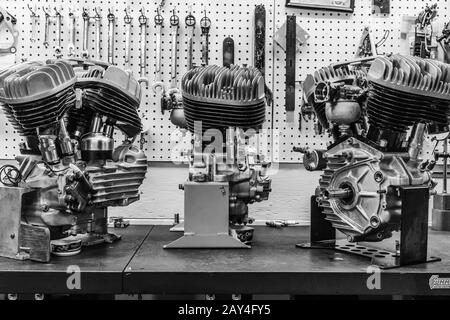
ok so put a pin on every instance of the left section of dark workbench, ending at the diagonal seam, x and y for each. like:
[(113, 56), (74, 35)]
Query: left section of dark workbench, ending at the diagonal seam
[(101, 268)]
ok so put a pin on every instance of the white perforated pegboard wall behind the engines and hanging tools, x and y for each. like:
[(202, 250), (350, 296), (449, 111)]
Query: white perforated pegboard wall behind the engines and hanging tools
[(334, 37)]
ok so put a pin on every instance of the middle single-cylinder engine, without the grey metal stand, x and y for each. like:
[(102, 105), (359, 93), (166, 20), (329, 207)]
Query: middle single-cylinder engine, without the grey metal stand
[(219, 104)]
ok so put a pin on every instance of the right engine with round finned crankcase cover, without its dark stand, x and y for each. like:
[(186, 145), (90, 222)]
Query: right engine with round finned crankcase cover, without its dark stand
[(378, 118)]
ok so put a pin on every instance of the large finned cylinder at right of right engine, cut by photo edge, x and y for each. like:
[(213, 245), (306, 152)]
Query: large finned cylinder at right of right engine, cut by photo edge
[(406, 90)]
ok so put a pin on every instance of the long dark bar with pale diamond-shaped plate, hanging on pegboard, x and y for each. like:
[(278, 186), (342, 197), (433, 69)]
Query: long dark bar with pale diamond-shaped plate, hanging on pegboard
[(290, 36)]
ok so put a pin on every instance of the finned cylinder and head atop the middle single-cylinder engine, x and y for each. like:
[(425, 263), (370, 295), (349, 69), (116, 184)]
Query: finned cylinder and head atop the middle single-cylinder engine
[(222, 97)]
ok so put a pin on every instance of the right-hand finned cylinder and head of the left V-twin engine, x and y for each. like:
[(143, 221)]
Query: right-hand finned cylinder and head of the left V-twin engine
[(114, 93)]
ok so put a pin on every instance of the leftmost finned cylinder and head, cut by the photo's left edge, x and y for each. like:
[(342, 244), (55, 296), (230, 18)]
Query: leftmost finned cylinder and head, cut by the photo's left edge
[(37, 94)]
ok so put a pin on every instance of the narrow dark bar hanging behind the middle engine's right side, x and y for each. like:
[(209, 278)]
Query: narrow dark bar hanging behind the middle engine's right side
[(260, 47)]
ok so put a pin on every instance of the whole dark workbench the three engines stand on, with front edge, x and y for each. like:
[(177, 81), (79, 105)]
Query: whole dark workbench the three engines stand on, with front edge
[(139, 264)]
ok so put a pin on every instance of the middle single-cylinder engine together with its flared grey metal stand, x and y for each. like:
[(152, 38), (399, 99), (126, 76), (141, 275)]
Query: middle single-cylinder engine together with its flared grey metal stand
[(225, 173)]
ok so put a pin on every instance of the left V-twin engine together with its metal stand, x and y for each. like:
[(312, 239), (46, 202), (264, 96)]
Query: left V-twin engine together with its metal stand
[(69, 170)]
